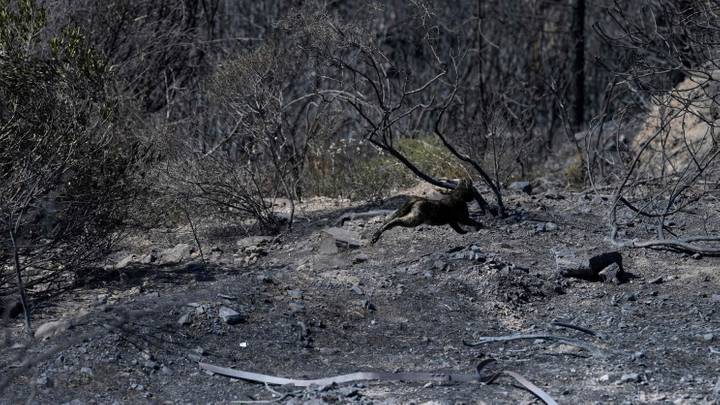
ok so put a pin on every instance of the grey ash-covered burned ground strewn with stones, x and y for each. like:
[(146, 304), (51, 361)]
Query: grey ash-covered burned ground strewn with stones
[(303, 305)]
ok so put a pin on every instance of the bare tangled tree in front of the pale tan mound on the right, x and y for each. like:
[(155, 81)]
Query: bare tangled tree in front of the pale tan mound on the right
[(665, 176)]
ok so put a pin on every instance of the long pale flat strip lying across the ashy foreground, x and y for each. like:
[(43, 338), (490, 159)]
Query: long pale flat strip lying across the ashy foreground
[(384, 376)]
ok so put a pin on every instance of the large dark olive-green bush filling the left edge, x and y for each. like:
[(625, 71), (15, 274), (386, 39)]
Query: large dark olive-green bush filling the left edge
[(66, 162)]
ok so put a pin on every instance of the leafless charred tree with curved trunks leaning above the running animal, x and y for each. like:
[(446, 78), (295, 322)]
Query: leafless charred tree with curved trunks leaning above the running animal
[(388, 100)]
